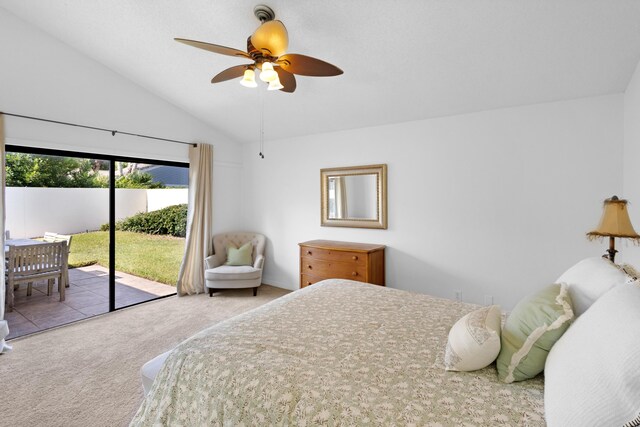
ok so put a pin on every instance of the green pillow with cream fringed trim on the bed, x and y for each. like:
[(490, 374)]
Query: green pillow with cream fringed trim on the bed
[(534, 325)]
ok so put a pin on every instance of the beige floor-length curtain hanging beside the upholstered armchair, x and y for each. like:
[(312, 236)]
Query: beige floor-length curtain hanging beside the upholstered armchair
[(199, 224)]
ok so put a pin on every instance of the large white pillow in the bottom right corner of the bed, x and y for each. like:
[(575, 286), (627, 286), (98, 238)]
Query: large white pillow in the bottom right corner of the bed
[(592, 374)]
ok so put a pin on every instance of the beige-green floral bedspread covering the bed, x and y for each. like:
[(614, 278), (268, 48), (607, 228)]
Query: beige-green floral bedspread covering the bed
[(335, 353)]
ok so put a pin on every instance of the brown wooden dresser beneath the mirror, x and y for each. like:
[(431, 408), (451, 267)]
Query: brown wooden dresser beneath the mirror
[(329, 259)]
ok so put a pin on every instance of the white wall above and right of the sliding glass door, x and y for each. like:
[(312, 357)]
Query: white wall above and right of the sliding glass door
[(43, 77)]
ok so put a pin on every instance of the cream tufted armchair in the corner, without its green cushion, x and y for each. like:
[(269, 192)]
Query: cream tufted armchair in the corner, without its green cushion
[(218, 275)]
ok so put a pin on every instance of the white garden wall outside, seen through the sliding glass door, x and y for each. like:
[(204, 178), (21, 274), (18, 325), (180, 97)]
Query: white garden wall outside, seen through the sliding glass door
[(32, 211)]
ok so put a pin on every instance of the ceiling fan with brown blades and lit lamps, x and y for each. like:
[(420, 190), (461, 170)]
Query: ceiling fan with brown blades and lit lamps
[(267, 47)]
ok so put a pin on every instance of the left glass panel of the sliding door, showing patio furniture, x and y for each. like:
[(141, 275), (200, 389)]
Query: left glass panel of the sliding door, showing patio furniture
[(51, 198)]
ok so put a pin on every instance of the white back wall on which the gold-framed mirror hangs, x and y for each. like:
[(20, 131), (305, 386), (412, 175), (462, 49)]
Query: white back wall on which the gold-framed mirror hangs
[(492, 203)]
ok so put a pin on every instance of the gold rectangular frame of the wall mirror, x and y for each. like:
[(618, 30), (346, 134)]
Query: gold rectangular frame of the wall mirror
[(381, 190)]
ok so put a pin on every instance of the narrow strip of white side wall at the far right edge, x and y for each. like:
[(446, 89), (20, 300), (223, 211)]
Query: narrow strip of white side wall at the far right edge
[(628, 252)]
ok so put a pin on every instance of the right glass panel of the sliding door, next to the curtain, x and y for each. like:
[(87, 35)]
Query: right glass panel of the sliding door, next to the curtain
[(151, 214)]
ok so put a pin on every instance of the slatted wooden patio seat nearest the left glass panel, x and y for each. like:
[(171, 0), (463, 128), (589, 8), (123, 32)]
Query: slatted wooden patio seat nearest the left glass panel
[(30, 263)]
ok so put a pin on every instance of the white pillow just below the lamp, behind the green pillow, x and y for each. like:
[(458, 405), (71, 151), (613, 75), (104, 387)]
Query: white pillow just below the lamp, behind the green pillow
[(589, 279)]
